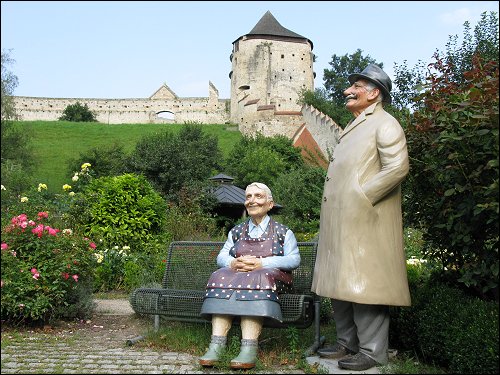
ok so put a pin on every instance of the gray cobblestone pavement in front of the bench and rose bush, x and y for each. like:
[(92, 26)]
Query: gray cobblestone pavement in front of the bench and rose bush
[(99, 346)]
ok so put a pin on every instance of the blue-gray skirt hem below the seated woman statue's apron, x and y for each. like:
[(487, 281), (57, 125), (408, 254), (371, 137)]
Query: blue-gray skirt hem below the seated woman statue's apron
[(232, 306)]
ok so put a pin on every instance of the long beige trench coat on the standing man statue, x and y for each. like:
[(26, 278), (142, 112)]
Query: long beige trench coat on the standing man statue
[(360, 250)]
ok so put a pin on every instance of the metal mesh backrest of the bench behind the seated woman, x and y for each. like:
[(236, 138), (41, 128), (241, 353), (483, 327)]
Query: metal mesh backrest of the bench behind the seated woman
[(190, 264)]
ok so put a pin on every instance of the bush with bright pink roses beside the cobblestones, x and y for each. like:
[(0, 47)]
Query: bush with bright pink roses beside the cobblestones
[(43, 269)]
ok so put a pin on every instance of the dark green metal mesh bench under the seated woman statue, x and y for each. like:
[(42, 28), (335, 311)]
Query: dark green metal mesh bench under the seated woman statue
[(188, 267)]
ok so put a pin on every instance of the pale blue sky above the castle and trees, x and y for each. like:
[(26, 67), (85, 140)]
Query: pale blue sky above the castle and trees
[(129, 49)]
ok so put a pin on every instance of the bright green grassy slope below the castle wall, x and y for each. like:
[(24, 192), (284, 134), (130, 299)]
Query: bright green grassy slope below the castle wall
[(56, 142)]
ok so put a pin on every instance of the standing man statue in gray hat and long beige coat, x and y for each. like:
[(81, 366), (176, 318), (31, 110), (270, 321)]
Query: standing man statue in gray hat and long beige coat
[(361, 264)]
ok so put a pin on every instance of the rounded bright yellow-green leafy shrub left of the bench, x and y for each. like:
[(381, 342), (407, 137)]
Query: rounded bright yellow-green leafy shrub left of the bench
[(120, 211)]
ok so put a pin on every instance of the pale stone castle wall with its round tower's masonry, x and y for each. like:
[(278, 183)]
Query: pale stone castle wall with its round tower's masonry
[(268, 74)]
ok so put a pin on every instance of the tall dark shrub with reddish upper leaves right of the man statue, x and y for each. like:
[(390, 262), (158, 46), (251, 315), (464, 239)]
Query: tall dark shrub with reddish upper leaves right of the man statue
[(454, 140)]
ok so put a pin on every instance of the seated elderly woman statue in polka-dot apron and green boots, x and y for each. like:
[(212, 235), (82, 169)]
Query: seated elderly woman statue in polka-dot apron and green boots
[(255, 264)]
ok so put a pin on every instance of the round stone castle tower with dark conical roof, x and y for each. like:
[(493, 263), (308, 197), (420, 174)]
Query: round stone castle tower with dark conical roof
[(271, 65)]
